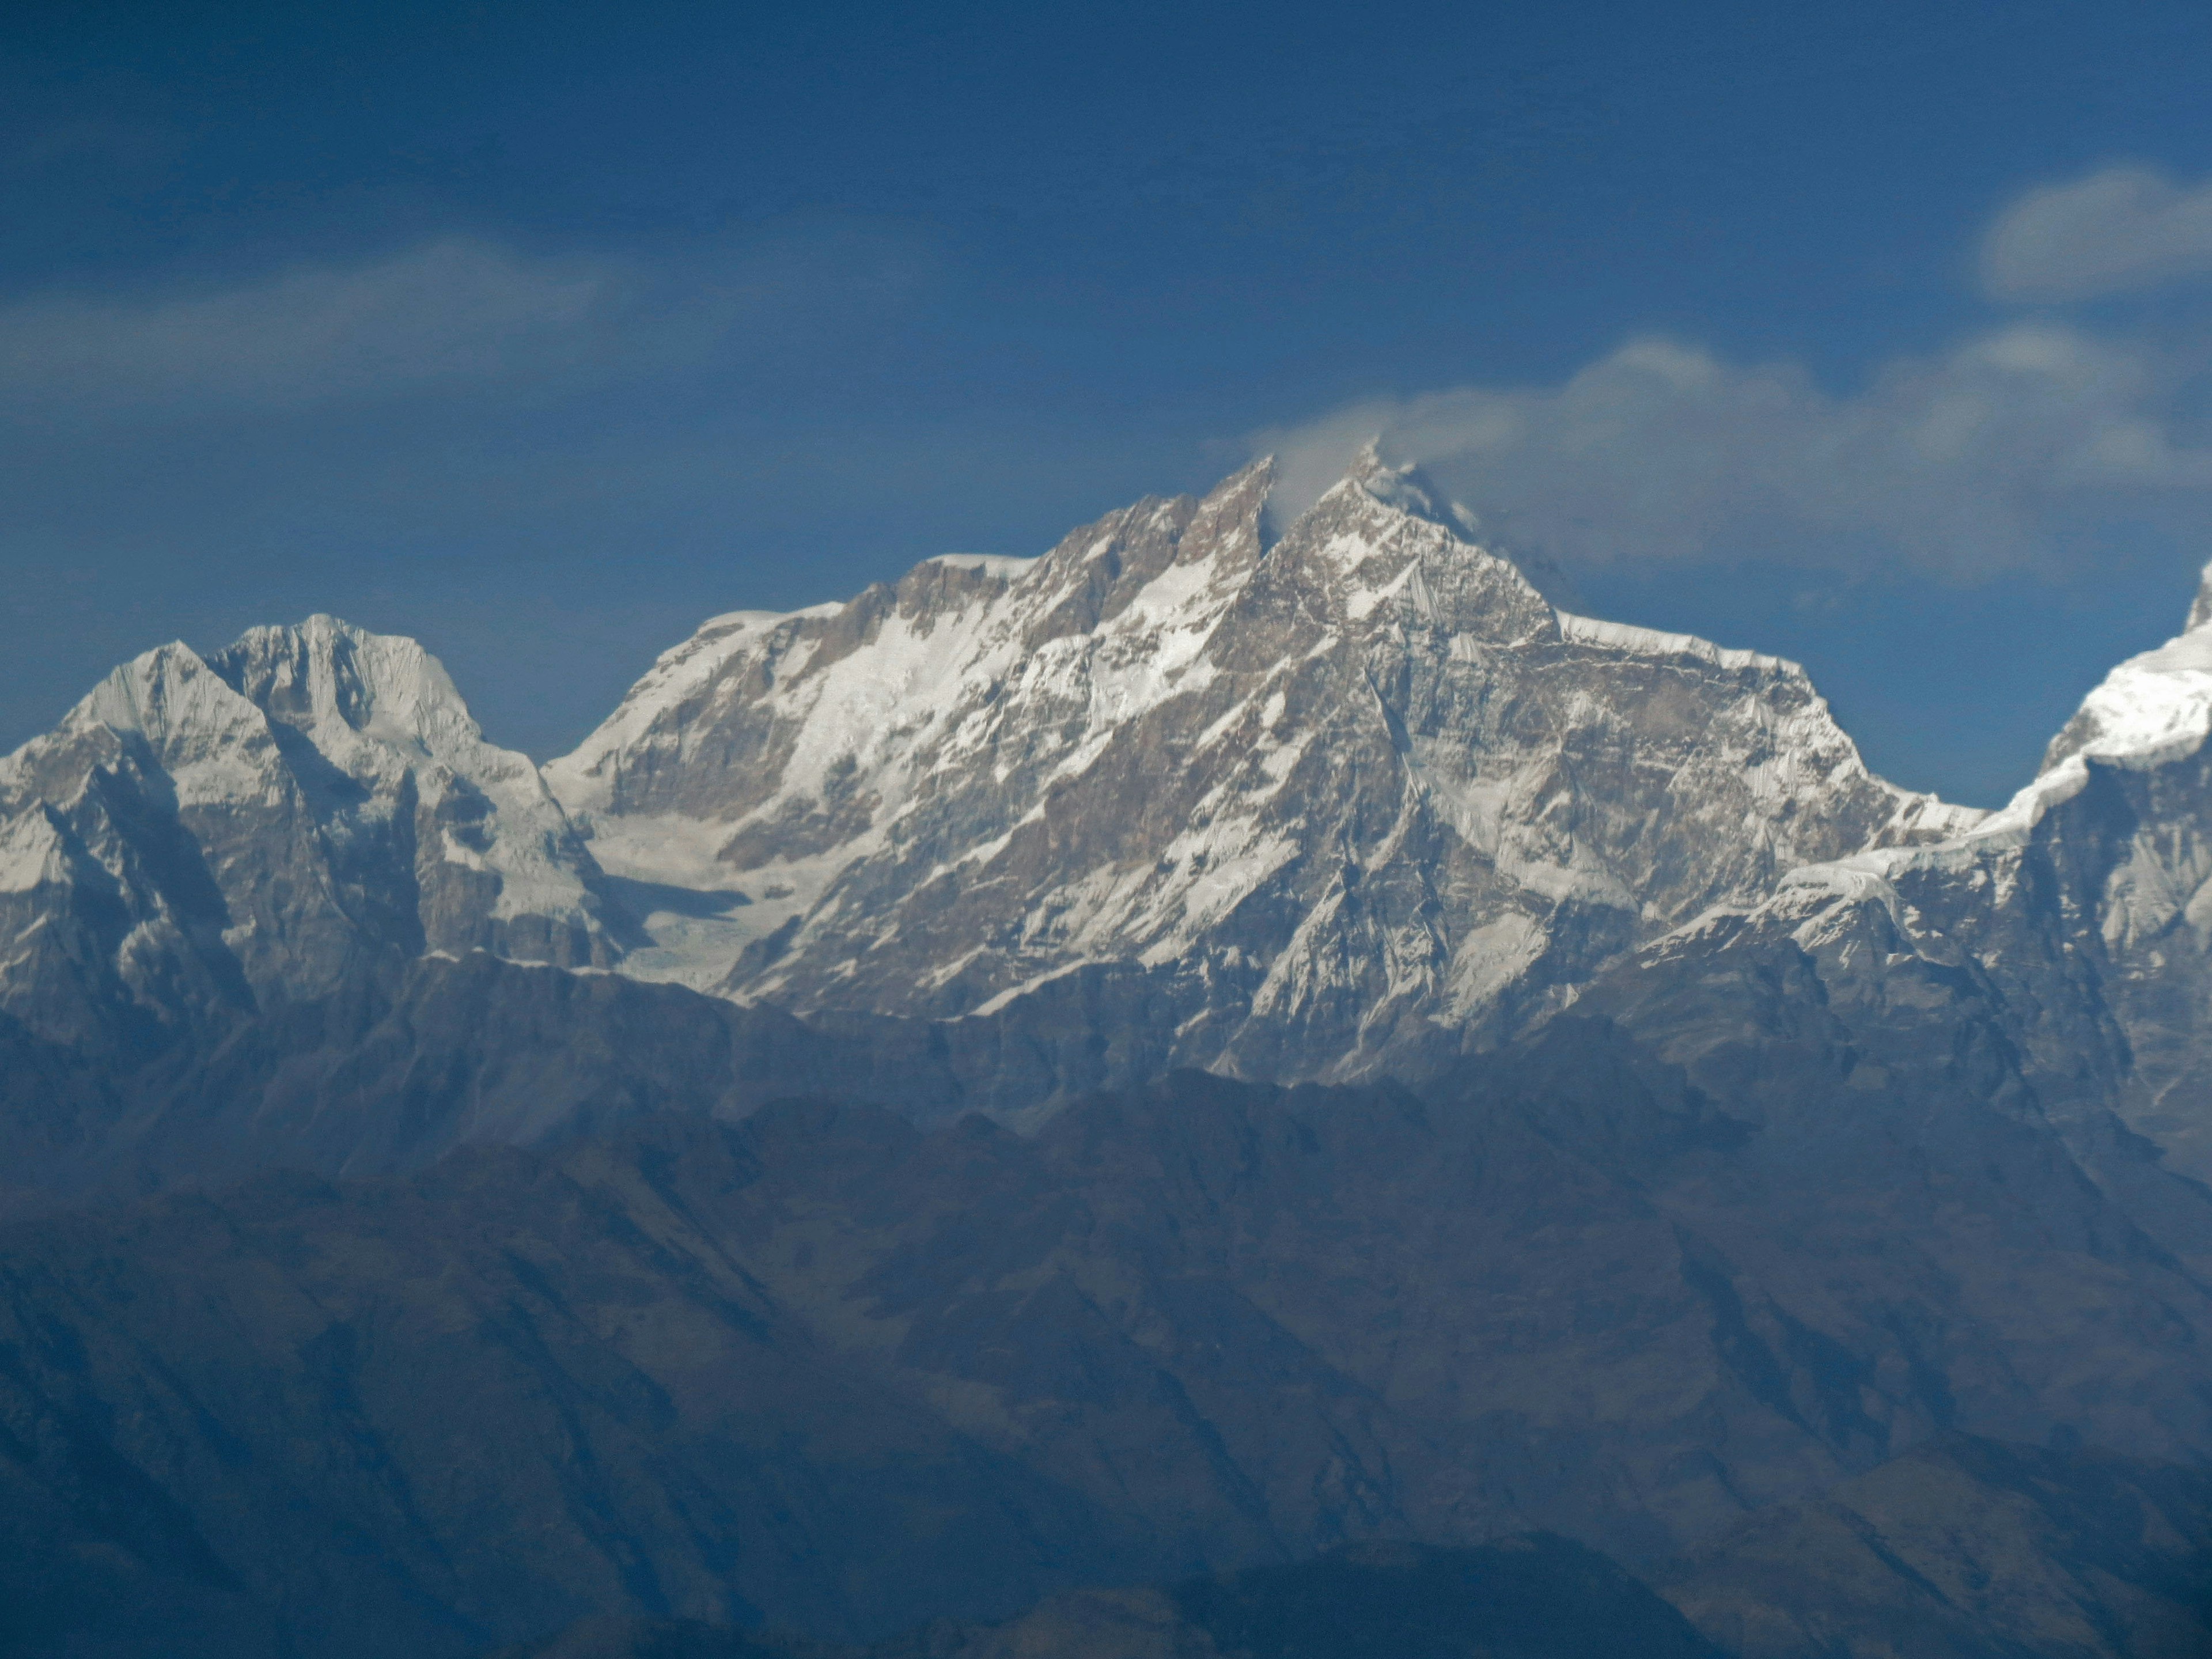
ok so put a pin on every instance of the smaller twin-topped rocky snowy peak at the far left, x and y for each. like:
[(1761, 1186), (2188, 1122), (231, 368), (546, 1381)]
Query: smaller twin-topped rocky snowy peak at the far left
[(211, 833)]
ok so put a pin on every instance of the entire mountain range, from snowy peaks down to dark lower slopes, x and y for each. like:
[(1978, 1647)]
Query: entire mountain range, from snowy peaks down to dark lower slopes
[(1211, 1047)]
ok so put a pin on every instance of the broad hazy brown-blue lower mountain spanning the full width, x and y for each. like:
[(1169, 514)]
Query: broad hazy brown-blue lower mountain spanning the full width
[(831, 1373)]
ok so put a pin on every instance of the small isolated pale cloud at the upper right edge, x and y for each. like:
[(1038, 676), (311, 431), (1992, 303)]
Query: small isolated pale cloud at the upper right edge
[(2118, 231)]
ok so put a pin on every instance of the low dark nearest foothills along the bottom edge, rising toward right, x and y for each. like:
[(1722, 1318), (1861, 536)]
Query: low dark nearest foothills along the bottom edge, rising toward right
[(1961, 1550)]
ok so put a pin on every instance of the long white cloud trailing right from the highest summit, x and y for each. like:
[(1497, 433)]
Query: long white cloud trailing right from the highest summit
[(1957, 466)]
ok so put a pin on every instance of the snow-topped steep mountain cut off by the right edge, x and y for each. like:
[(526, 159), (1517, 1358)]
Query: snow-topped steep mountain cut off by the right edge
[(2080, 915)]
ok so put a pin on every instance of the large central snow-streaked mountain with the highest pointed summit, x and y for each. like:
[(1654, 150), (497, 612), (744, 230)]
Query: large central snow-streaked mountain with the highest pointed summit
[(1328, 804)]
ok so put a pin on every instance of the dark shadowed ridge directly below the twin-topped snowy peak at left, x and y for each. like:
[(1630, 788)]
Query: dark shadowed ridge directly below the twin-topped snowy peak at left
[(413, 1058)]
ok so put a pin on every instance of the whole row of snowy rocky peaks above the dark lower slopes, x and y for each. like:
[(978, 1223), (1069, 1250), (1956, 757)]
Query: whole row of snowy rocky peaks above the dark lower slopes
[(1339, 802)]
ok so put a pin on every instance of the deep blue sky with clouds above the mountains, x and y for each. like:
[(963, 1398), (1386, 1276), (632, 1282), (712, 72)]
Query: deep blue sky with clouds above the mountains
[(1868, 335)]
